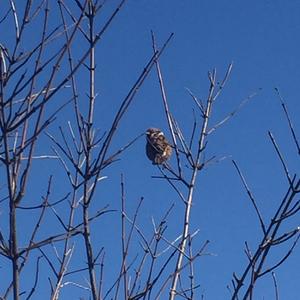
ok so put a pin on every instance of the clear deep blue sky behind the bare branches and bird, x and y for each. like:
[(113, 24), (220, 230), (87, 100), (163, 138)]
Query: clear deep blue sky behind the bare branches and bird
[(262, 39)]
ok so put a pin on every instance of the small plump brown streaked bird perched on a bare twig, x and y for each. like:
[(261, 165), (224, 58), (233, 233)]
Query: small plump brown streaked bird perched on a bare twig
[(158, 149)]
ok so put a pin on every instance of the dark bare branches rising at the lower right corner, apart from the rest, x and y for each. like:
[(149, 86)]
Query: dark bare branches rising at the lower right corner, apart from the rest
[(271, 232)]
